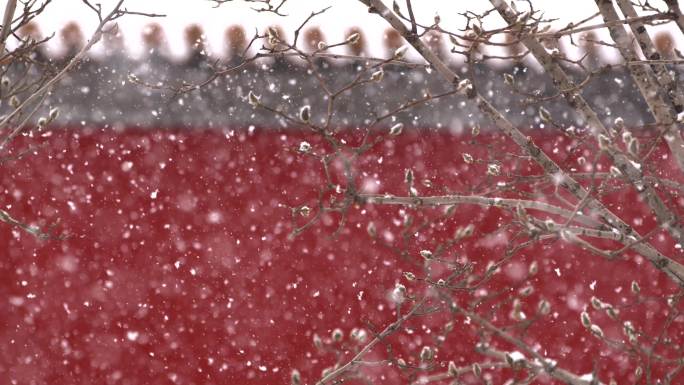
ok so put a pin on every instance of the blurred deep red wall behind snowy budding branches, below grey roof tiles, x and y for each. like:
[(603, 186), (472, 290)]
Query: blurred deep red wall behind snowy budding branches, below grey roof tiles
[(201, 285)]
